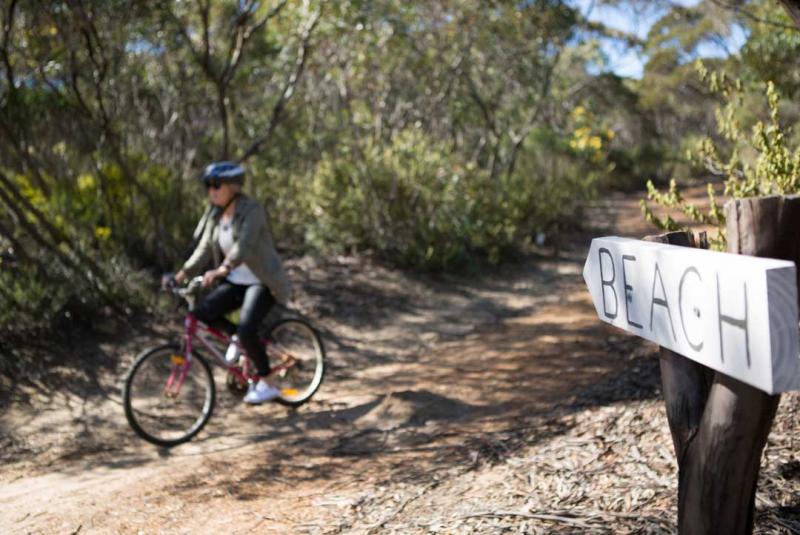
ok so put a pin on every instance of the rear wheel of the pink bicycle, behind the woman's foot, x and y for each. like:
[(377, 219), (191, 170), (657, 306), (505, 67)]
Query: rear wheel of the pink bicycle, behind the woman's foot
[(298, 356)]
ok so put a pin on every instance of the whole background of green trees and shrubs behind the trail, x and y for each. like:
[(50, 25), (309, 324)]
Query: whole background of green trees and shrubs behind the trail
[(434, 134)]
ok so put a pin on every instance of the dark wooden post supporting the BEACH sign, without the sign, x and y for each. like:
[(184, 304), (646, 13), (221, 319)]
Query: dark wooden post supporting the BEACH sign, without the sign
[(720, 425)]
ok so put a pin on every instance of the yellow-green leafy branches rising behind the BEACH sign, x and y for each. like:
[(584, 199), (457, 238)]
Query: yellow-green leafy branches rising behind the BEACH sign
[(760, 163)]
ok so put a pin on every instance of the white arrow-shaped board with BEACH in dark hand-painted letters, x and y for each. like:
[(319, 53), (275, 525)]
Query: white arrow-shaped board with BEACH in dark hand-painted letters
[(736, 314)]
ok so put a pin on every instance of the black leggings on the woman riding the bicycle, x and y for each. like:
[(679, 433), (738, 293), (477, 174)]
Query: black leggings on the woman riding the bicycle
[(255, 300)]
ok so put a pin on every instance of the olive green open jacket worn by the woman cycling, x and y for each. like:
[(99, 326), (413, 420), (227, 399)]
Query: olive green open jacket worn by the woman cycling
[(252, 246)]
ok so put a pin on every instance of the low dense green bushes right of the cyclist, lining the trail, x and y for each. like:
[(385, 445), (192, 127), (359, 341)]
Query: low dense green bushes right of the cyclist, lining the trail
[(414, 202)]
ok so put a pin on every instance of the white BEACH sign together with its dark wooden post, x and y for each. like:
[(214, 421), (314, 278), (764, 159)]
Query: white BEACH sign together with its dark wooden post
[(719, 400)]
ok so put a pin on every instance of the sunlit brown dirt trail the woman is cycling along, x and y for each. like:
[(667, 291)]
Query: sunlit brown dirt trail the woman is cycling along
[(428, 377)]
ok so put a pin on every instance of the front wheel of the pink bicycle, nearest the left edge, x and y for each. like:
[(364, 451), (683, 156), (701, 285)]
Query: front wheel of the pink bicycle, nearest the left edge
[(168, 399)]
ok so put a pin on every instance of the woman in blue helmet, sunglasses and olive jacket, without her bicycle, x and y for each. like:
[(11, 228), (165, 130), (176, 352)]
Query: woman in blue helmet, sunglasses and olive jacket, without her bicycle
[(235, 238)]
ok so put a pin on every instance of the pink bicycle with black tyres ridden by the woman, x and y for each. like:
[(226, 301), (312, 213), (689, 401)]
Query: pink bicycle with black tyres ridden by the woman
[(169, 392)]
